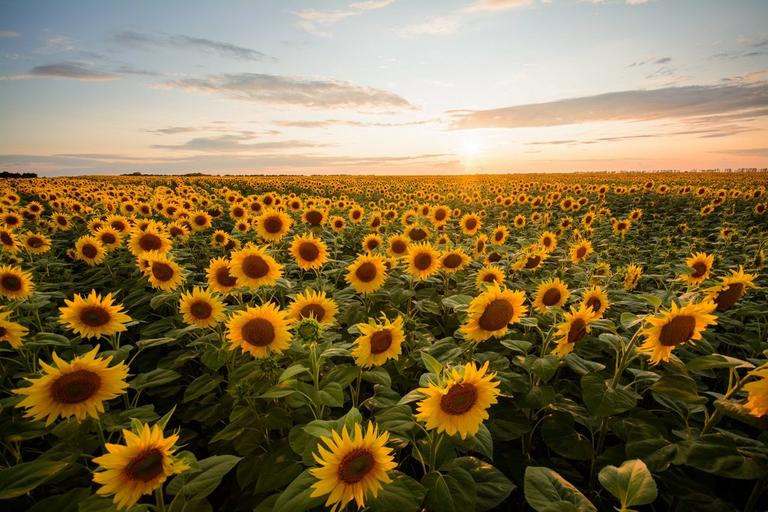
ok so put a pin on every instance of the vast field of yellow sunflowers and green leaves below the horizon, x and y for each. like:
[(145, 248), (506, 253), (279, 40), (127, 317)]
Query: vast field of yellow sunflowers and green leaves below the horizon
[(561, 342)]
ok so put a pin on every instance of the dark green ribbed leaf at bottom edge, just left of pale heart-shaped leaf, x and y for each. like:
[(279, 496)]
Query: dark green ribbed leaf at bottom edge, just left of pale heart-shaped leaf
[(545, 488)]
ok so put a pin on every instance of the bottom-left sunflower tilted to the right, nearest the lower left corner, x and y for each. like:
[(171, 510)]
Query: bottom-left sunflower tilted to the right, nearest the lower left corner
[(138, 467)]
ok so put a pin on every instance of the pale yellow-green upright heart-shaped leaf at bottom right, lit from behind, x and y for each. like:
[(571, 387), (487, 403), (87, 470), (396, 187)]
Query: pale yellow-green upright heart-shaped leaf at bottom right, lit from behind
[(631, 483)]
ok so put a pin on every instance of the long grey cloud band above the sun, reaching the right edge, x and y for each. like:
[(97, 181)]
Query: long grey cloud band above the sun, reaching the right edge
[(634, 105)]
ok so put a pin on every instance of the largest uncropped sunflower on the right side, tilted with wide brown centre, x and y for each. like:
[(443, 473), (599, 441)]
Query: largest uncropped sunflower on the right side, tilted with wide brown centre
[(676, 327)]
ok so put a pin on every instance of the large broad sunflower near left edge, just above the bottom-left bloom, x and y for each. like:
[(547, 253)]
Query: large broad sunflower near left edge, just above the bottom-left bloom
[(78, 388)]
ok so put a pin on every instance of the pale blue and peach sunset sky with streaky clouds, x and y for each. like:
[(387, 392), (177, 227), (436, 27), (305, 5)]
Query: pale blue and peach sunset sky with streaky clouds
[(382, 86)]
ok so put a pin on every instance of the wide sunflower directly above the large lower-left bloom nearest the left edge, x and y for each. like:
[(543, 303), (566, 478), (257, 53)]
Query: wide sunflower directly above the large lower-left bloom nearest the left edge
[(93, 316)]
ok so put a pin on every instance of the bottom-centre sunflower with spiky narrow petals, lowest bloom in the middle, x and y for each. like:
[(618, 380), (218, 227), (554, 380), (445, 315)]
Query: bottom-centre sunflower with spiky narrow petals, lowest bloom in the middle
[(352, 467)]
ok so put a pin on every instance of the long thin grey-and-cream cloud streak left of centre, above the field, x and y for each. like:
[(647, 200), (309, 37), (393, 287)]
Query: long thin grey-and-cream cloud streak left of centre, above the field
[(297, 91)]
